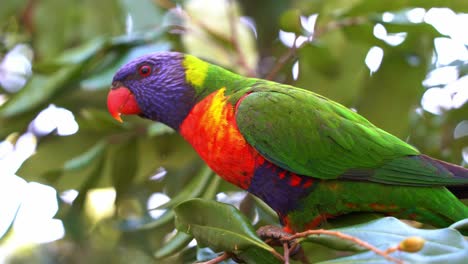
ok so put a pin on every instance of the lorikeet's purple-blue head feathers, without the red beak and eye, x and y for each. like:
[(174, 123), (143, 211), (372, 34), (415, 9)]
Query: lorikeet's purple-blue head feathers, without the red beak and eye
[(164, 95)]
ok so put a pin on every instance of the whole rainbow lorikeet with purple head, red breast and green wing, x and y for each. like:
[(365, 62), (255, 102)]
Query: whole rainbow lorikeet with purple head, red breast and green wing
[(309, 158)]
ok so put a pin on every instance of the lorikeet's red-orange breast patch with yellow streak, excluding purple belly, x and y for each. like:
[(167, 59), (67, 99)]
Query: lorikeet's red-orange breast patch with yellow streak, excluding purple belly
[(211, 129)]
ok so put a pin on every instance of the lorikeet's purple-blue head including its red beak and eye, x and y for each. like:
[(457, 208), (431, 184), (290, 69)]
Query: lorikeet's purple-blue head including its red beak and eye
[(153, 86)]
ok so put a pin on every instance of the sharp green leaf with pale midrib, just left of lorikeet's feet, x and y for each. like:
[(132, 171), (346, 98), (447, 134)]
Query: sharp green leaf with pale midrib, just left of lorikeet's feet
[(220, 226)]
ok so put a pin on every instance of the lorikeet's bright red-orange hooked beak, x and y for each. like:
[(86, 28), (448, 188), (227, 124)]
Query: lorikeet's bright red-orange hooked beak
[(120, 101)]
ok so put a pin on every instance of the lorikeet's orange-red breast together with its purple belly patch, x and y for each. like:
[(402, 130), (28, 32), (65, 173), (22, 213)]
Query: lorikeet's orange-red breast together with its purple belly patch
[(212, 130)]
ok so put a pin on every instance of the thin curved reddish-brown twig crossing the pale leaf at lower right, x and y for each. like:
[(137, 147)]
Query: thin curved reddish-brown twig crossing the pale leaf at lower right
[(356, 240)]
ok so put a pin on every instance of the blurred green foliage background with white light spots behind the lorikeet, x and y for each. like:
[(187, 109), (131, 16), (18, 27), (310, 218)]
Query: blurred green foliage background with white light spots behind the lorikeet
[(401, 64)]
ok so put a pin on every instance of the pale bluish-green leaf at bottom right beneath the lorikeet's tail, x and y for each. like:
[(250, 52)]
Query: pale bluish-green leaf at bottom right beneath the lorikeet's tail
[(442, 244)]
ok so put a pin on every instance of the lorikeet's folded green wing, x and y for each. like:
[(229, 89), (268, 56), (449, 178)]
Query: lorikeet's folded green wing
[(311, 135)]
